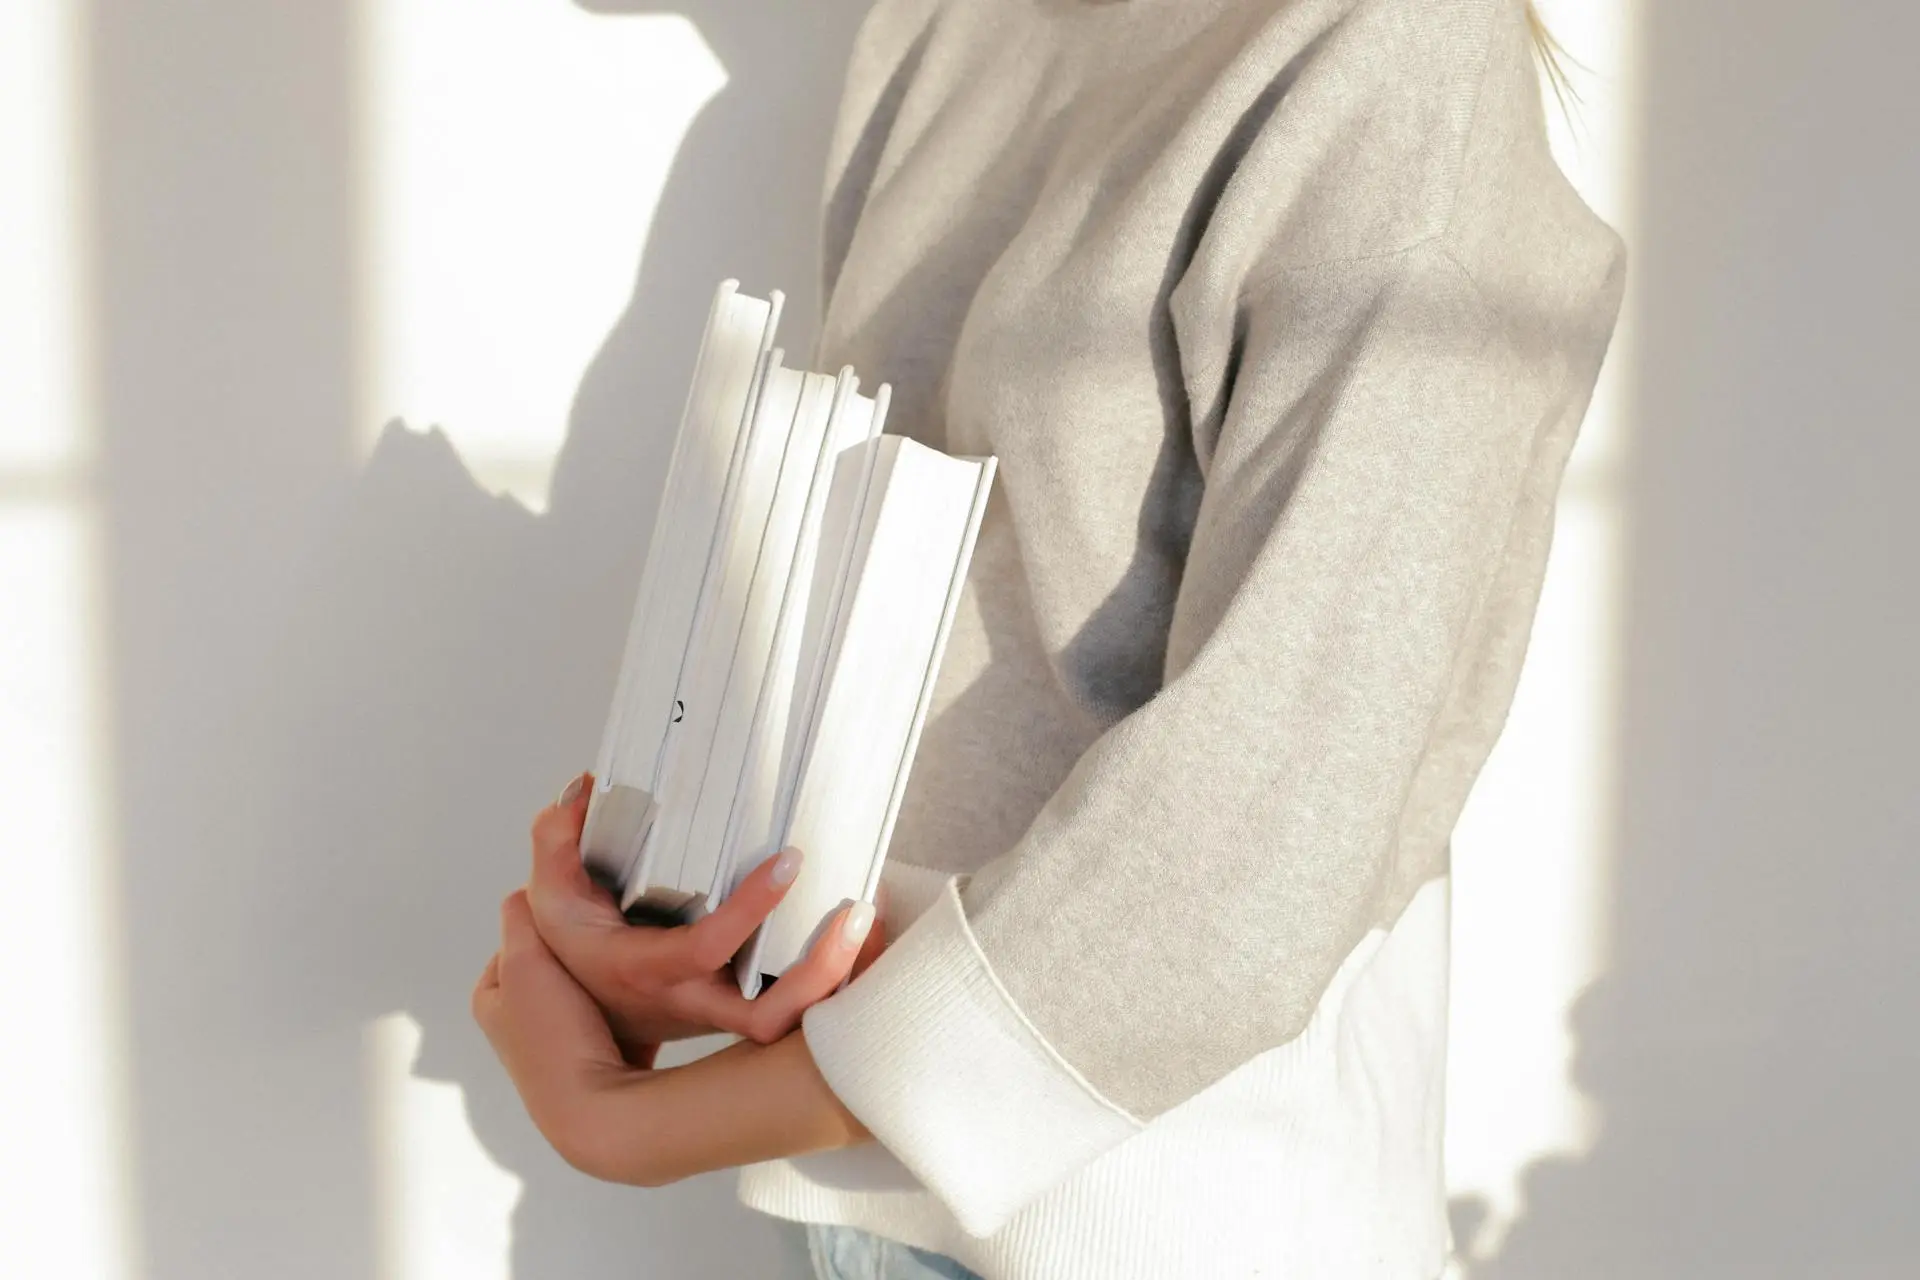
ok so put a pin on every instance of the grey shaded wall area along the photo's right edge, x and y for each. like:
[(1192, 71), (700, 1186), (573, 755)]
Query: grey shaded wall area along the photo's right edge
[(1752, 1049)]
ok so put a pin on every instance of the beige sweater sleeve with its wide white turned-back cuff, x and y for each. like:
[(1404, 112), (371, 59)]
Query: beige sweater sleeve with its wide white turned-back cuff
[(1383, 465)]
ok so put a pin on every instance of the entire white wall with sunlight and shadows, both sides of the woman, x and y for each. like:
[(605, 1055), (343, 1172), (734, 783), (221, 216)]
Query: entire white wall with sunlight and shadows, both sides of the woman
[(283, 680)]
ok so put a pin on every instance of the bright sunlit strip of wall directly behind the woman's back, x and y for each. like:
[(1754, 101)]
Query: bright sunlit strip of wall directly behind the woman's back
[(1533, 851)]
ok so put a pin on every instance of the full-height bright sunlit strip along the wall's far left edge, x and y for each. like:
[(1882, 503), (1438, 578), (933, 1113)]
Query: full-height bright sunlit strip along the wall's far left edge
[(64, 1120)]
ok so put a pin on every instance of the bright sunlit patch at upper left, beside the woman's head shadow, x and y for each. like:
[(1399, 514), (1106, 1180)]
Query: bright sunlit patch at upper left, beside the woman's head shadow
[(516, 154)]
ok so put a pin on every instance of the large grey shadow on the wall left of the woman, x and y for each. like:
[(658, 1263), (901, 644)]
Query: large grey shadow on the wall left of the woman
[(343, 692)]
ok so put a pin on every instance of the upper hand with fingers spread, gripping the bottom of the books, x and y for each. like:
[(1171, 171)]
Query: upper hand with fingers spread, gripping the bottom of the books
[(671, 984)]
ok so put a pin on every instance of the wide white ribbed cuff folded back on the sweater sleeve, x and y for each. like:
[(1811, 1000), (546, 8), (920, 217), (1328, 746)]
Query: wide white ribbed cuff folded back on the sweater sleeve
[(949, 1076)]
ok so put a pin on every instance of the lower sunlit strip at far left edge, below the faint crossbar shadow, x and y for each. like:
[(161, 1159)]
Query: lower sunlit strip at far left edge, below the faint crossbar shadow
[(64, 1158)]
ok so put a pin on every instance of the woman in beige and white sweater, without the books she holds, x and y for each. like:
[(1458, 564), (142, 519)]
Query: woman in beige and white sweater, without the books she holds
[(1282, 323)]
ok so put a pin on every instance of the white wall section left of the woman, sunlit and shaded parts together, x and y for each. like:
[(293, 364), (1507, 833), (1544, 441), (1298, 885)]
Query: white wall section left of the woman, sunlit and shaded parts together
[(337, 675)]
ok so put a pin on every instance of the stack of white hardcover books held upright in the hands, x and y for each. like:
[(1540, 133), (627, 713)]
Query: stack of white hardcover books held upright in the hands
[(790, 625)]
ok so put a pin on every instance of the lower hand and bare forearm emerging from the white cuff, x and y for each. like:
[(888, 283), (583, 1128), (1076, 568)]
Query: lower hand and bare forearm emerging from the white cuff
[(617, 1122)]
